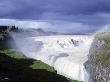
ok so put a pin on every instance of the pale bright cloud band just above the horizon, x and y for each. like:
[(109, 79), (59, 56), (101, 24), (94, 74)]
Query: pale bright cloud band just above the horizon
[(56, 26)]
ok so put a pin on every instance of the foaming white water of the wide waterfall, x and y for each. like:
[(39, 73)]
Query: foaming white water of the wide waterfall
[(66, 53)]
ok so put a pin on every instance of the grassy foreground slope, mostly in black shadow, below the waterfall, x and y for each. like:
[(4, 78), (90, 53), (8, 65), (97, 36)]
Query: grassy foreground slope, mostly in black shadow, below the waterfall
[(15, 66)]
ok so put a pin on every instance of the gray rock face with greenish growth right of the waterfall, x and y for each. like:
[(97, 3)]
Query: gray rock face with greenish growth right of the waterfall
[(98, 64)]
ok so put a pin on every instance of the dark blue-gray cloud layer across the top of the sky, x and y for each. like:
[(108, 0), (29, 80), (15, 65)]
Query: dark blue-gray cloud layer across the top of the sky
[(36, 9)]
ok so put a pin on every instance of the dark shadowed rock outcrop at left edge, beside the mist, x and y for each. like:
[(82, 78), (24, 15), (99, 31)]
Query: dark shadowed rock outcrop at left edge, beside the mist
[(5, 39)]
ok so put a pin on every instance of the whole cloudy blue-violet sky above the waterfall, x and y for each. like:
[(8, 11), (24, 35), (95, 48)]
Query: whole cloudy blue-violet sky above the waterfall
[(59, 15)]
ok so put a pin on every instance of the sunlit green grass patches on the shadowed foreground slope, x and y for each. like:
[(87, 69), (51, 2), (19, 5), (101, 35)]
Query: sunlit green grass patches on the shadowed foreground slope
[(37, 64)]
